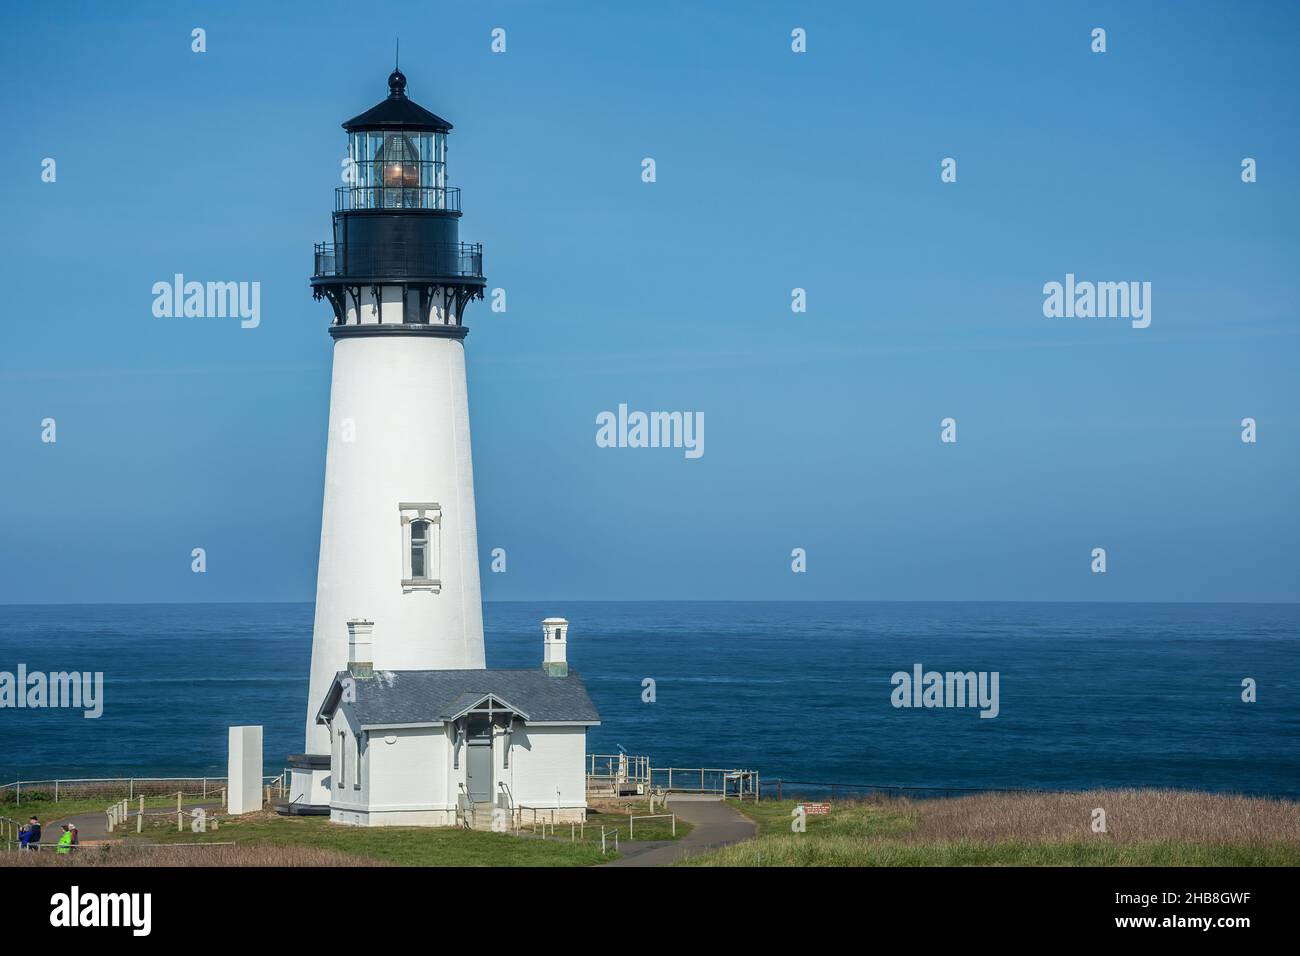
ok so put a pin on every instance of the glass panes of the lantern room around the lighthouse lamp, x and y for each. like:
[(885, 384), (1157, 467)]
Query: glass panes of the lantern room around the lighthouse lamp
[(393, 170)]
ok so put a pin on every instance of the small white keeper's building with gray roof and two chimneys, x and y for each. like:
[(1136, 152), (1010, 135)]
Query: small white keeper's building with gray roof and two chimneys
[(449, 747)]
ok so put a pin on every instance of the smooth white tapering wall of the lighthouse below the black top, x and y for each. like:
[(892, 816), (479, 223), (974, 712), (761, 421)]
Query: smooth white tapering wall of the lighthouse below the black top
[(406, 399)]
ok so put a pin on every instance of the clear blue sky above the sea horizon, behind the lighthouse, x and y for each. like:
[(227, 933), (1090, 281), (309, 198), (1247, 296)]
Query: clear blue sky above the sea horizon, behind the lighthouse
[(775, 171)]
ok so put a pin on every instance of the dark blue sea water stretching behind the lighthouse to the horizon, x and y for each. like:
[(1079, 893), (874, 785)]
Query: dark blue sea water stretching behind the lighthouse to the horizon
[(1090, 695)]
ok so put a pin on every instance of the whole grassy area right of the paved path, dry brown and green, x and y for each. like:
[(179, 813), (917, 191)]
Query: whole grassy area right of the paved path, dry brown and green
[(1145, 828)]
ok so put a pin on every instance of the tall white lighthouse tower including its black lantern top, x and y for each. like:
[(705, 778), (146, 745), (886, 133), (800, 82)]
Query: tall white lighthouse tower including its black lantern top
[(398, 537)]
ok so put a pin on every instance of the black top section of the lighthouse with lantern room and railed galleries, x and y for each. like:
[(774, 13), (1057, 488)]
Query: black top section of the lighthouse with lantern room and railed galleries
[(397, 265)]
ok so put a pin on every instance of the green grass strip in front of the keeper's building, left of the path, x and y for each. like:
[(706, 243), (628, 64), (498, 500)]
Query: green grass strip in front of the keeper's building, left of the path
[(396, 846)]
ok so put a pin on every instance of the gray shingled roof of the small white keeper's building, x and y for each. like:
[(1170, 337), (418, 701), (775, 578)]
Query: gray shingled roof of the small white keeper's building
[(395, 698)]
